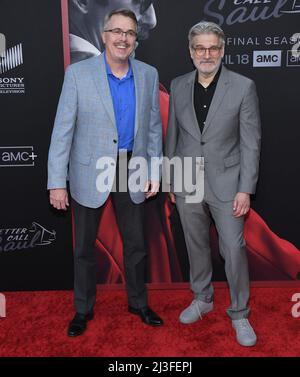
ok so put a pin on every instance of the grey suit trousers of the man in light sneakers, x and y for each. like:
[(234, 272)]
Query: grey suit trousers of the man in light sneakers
[(196, 220)]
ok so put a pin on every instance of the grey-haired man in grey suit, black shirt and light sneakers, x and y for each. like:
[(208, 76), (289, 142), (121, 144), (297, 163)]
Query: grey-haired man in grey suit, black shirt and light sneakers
[(214, 120)]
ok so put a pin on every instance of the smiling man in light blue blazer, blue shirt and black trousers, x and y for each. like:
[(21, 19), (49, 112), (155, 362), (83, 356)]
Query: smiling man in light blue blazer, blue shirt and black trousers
[(109, 106)]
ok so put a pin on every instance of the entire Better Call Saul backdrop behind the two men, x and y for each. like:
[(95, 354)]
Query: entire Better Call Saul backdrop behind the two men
[(38, 39)]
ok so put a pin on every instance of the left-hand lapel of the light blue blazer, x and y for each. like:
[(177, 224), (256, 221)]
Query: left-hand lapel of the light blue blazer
[(102, 85)]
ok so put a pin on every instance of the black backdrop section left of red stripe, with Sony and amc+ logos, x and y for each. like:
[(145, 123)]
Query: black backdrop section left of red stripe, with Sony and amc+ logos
[(35, 241)]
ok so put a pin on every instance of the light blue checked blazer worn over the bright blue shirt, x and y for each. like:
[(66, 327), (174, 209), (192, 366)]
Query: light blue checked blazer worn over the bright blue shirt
[(85, 129)]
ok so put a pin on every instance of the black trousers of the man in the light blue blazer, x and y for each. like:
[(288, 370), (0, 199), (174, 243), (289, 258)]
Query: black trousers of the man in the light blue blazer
[(130, 218)]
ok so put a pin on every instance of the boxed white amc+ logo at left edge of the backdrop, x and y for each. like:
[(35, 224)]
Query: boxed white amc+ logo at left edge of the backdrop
[(17, 156)]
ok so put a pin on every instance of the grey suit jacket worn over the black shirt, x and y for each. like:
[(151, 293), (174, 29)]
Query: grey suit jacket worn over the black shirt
[(230, 141)]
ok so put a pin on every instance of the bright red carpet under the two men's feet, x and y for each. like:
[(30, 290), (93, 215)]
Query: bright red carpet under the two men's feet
[(36, 325)]
